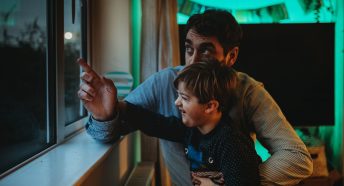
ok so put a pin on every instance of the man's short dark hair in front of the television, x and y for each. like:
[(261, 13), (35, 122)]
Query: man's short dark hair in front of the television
[(218, 23)]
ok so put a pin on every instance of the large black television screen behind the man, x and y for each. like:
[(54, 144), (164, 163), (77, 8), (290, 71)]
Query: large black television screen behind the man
[(296, 64)]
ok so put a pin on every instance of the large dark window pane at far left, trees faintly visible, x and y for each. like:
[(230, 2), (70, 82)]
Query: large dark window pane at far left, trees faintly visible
[(23, 109)]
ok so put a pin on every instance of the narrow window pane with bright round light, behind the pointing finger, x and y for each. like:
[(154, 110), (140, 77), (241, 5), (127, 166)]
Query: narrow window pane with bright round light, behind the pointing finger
[(72, 51)]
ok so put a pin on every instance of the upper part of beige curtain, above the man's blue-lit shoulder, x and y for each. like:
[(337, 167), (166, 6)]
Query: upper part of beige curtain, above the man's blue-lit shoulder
[(160, 37)]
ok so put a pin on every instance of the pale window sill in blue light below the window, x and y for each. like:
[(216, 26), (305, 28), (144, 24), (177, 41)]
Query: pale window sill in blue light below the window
[(63, 165)]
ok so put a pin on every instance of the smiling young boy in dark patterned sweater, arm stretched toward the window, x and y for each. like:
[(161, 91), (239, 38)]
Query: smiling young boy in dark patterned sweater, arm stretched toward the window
[(215, 147)]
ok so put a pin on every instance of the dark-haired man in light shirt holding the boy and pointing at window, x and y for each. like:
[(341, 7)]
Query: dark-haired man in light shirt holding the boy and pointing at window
[(213, 34)]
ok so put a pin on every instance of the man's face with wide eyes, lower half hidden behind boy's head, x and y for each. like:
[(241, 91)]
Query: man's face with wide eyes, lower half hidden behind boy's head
[(201, 47)]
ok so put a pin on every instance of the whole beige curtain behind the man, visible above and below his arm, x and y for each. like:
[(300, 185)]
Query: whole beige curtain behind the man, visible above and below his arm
[(159, 49)]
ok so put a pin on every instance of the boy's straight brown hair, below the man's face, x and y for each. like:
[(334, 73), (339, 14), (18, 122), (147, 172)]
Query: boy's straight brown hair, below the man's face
[(210, 80)]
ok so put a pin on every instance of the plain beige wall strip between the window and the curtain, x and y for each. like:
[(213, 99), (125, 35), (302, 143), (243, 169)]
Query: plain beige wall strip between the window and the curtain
[(111, 35)]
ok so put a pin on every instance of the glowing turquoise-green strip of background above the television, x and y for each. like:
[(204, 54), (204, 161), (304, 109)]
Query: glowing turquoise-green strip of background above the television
[(267, 11)]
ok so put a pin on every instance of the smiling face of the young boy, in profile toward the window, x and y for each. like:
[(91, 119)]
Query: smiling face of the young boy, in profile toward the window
[(193, 113)]
